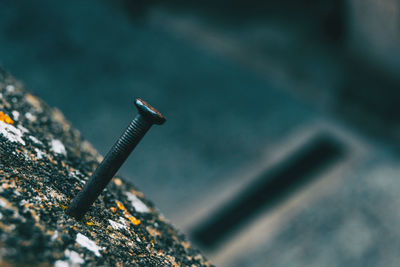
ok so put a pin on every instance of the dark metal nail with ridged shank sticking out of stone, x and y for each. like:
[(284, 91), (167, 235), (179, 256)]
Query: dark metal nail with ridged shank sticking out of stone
[(115, 158)]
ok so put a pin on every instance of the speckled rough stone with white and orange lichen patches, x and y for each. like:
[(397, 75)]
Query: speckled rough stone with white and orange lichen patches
[(44, 162)]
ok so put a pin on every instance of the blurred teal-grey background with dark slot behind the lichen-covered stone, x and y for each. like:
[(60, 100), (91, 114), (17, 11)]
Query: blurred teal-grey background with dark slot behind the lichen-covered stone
[(281, 145)]
